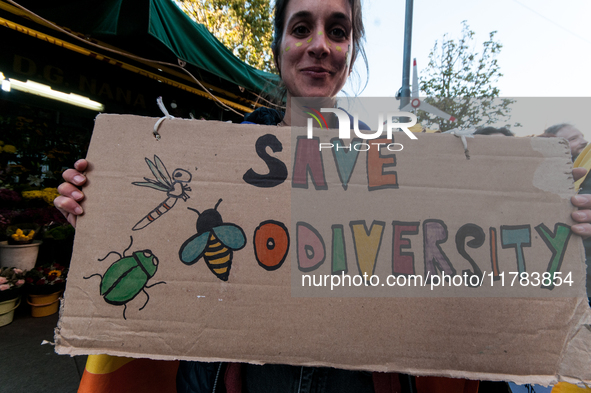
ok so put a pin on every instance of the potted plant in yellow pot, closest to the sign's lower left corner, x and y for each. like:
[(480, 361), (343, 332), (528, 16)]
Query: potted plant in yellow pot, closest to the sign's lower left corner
[(45, 285)]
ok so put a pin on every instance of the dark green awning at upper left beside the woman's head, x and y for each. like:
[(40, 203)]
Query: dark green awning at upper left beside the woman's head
[(157, 30)]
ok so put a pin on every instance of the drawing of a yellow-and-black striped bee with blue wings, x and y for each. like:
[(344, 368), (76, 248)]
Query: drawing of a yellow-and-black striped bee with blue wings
[(215, 241)]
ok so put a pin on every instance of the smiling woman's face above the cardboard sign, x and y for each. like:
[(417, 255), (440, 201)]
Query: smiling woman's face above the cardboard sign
[(315, 46)]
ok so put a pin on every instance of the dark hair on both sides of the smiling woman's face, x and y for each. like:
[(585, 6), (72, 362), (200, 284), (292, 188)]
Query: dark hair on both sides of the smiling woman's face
[(357, 25)]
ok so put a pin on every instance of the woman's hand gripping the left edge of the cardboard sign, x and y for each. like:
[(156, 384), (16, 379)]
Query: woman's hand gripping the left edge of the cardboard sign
[(70, 195)]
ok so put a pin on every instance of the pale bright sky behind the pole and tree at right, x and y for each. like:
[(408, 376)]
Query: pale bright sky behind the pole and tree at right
[(546, 48)]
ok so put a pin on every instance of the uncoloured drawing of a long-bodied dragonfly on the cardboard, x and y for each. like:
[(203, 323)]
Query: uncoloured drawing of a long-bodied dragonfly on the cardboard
[(175, 188)]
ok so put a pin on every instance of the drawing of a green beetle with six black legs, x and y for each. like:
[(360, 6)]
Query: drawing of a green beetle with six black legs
[(127, 277)]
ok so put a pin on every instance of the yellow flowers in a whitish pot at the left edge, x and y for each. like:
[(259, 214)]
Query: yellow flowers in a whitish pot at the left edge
[(20, 250)]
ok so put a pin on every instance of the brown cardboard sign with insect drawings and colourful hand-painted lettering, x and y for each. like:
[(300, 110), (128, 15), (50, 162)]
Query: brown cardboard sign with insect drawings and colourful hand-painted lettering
[(222, 242)]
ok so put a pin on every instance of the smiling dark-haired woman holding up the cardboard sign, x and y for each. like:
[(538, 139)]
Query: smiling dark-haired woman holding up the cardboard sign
[(314, 46)]
